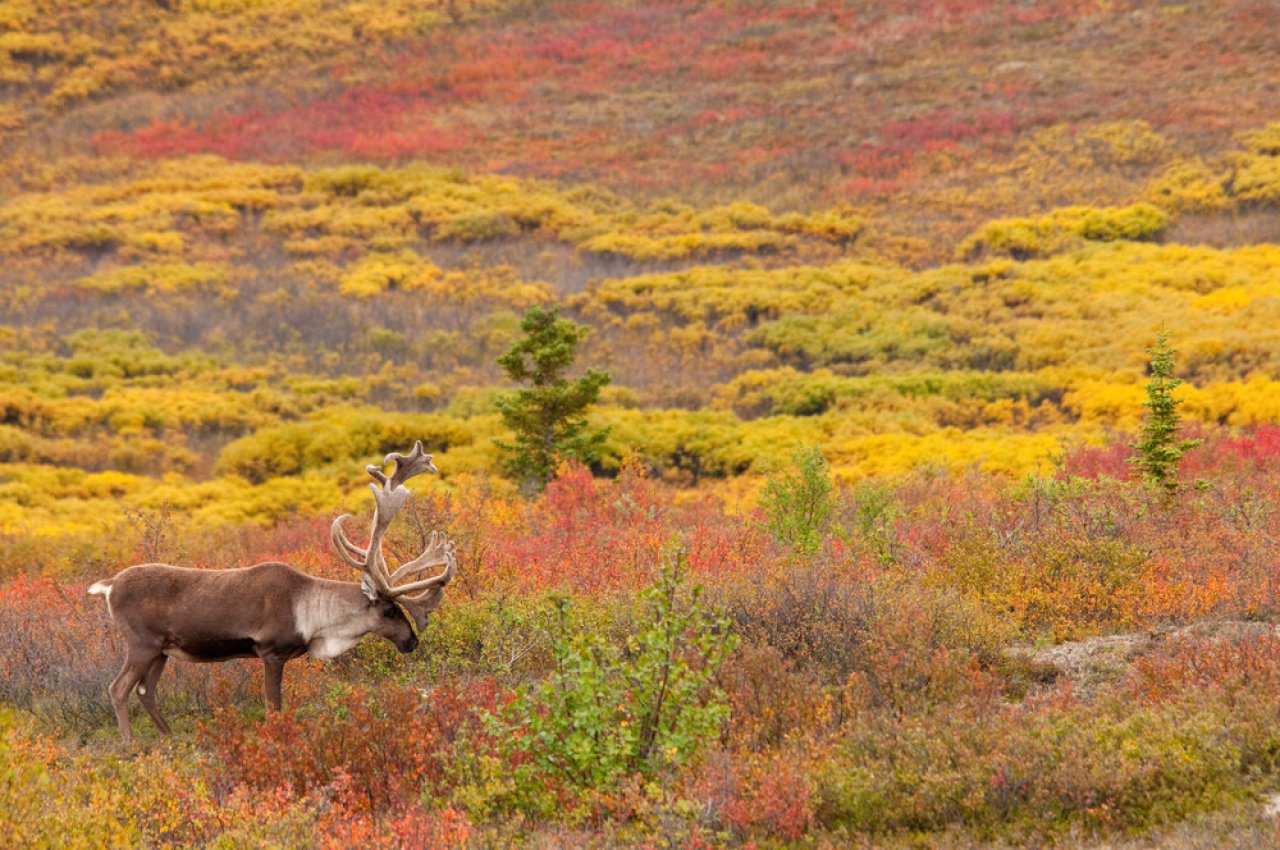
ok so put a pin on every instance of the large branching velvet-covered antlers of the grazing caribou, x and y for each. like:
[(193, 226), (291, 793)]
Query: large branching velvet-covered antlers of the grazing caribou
[(388, 500)]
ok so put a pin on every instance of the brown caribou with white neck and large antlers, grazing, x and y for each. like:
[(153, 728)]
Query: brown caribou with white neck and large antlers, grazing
[(271, 611)]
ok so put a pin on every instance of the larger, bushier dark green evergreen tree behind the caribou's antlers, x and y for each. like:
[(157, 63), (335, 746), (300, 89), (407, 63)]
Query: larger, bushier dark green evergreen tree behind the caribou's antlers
[(547, 418)]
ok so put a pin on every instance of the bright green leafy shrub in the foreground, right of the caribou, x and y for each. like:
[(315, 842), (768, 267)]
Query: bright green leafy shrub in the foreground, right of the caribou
[(609, 714)]
